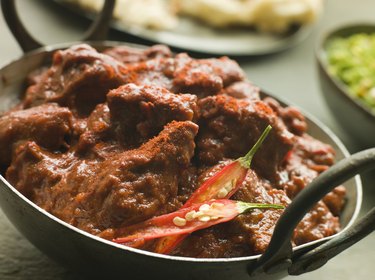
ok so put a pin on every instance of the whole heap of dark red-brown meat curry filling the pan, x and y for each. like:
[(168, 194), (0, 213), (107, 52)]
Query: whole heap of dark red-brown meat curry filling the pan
[(107, 140)]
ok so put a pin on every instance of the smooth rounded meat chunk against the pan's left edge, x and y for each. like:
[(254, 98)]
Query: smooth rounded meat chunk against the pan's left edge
[(49, 125)]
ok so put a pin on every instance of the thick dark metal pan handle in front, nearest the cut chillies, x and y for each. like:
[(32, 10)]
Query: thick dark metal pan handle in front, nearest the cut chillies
[(278, 255)]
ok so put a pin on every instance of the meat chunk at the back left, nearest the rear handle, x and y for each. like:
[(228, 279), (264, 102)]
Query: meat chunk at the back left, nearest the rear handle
[(79, 78)]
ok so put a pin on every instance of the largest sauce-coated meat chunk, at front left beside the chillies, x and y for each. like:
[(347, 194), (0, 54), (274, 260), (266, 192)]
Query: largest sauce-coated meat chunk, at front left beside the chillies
[(95, 195)]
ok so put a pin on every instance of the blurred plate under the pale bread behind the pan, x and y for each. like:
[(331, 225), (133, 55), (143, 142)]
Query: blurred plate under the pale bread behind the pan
[(195, 36)]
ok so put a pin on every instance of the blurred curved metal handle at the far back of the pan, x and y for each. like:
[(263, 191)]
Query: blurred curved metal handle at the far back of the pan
[(97, 31)]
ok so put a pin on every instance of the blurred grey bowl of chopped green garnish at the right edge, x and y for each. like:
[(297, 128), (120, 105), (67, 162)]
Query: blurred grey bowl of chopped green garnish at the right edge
[(346, 64)]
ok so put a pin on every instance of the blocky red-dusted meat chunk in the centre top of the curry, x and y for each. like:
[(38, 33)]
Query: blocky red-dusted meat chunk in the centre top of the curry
[(134, 115)]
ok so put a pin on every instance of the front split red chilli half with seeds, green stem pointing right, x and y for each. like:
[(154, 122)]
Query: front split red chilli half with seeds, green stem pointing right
[(190, 219)]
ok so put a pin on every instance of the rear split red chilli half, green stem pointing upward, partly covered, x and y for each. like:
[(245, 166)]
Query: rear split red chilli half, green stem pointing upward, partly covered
[(223, 184)]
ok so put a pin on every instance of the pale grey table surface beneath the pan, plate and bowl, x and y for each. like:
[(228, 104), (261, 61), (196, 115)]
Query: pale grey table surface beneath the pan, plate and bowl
[(290, 74)]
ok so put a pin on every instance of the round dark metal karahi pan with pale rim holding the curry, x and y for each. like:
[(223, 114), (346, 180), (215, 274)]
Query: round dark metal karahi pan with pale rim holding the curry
[(90, 254)]
